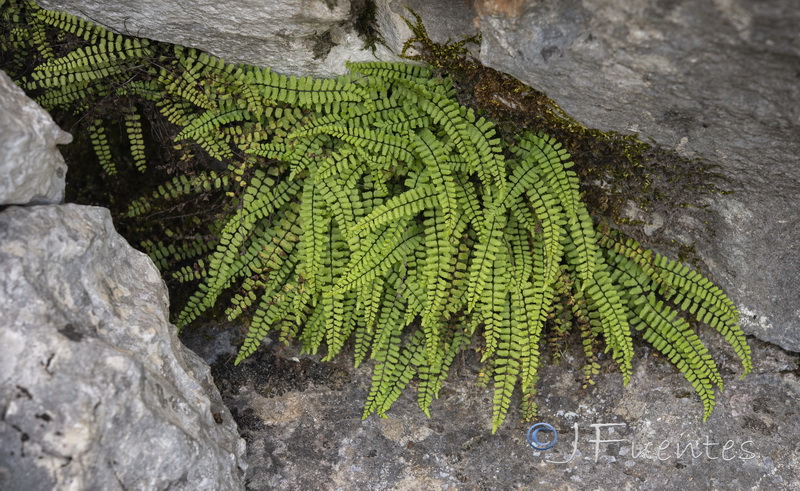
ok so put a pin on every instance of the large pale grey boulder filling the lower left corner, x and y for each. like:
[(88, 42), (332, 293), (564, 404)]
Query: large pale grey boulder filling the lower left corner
[(96, 391)]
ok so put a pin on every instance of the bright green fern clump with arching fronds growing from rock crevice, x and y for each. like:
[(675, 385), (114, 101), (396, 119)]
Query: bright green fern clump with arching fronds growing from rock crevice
[(374, 209)]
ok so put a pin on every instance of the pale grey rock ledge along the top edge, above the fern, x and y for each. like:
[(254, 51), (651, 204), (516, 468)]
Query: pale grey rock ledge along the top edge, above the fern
[(297, 37)]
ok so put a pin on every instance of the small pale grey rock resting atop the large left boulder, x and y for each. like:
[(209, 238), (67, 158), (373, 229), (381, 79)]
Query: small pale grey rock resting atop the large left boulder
[(31, 168)]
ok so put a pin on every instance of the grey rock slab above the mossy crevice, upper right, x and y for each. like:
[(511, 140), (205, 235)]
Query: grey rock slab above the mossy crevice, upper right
[(718, 80)]
